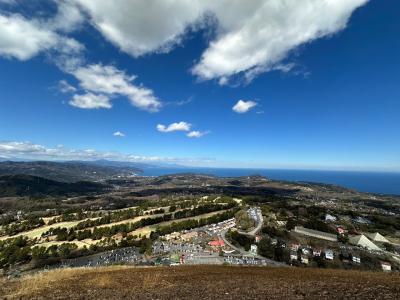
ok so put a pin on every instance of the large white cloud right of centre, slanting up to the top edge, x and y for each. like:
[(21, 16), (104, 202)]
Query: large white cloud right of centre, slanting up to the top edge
[(255, 37)]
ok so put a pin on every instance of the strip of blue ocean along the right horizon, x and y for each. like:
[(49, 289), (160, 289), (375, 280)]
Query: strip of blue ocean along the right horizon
[(372, 182)]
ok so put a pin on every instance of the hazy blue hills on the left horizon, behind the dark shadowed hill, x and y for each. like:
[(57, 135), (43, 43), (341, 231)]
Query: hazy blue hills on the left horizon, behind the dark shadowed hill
[(71, 171)]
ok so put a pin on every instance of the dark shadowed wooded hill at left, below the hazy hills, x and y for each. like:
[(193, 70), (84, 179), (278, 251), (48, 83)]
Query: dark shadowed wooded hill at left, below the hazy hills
[(26, 185)]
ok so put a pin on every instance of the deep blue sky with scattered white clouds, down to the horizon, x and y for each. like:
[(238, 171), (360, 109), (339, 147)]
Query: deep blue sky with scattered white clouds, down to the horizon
[(321, 91)]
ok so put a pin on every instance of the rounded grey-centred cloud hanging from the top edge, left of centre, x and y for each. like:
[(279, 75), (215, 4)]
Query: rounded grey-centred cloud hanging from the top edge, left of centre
[(140, 27)]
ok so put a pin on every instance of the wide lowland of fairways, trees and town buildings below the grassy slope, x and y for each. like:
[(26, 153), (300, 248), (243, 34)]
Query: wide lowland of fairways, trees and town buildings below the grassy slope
[(189, 219)]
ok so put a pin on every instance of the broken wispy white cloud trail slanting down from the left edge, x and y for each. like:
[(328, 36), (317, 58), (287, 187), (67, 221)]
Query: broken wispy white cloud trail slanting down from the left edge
[(22, 39)]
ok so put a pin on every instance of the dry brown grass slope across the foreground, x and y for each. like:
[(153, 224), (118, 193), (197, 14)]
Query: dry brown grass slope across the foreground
[(202, 282)]
